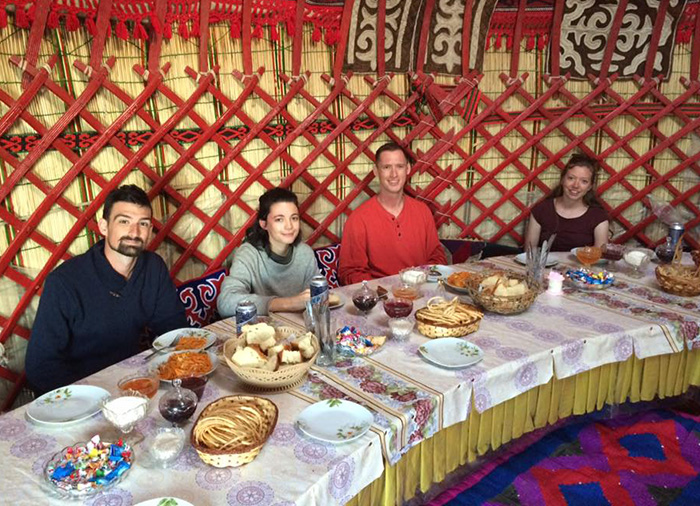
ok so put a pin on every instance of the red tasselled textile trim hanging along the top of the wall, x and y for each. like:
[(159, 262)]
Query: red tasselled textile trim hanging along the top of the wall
[(325, 15)]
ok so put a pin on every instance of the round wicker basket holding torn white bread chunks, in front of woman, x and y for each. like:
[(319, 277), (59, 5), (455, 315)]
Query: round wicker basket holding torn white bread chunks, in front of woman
[(286, 377)]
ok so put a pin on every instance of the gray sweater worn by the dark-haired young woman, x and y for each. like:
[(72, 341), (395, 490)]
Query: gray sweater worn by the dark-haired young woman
[(258, 278)]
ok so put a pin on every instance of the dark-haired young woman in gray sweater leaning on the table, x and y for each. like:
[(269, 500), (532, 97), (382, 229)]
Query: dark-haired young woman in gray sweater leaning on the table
[(272, 268)]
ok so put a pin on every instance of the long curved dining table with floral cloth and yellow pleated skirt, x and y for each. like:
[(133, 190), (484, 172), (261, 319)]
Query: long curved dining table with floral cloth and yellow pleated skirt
[(567, 354)]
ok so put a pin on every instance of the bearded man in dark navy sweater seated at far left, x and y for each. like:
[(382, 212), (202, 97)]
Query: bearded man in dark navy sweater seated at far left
[(96, 306)]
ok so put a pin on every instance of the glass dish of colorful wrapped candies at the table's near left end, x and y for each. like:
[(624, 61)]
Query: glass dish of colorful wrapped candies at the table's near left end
[(86, 469)]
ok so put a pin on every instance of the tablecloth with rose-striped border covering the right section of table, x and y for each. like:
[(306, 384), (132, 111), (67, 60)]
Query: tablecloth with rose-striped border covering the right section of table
[(558, 335)]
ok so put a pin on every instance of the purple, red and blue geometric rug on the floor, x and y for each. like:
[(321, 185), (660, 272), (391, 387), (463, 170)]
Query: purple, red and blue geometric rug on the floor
[(647, 459)]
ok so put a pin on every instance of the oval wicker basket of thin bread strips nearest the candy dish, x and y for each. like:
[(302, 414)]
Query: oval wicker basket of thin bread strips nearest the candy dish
[(252, 421)]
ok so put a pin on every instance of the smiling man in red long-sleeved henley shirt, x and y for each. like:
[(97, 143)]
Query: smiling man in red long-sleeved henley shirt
[(390, 231)]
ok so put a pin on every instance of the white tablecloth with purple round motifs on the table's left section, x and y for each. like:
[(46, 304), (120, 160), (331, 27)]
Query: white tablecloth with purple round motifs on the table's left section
[(291, 469)]
